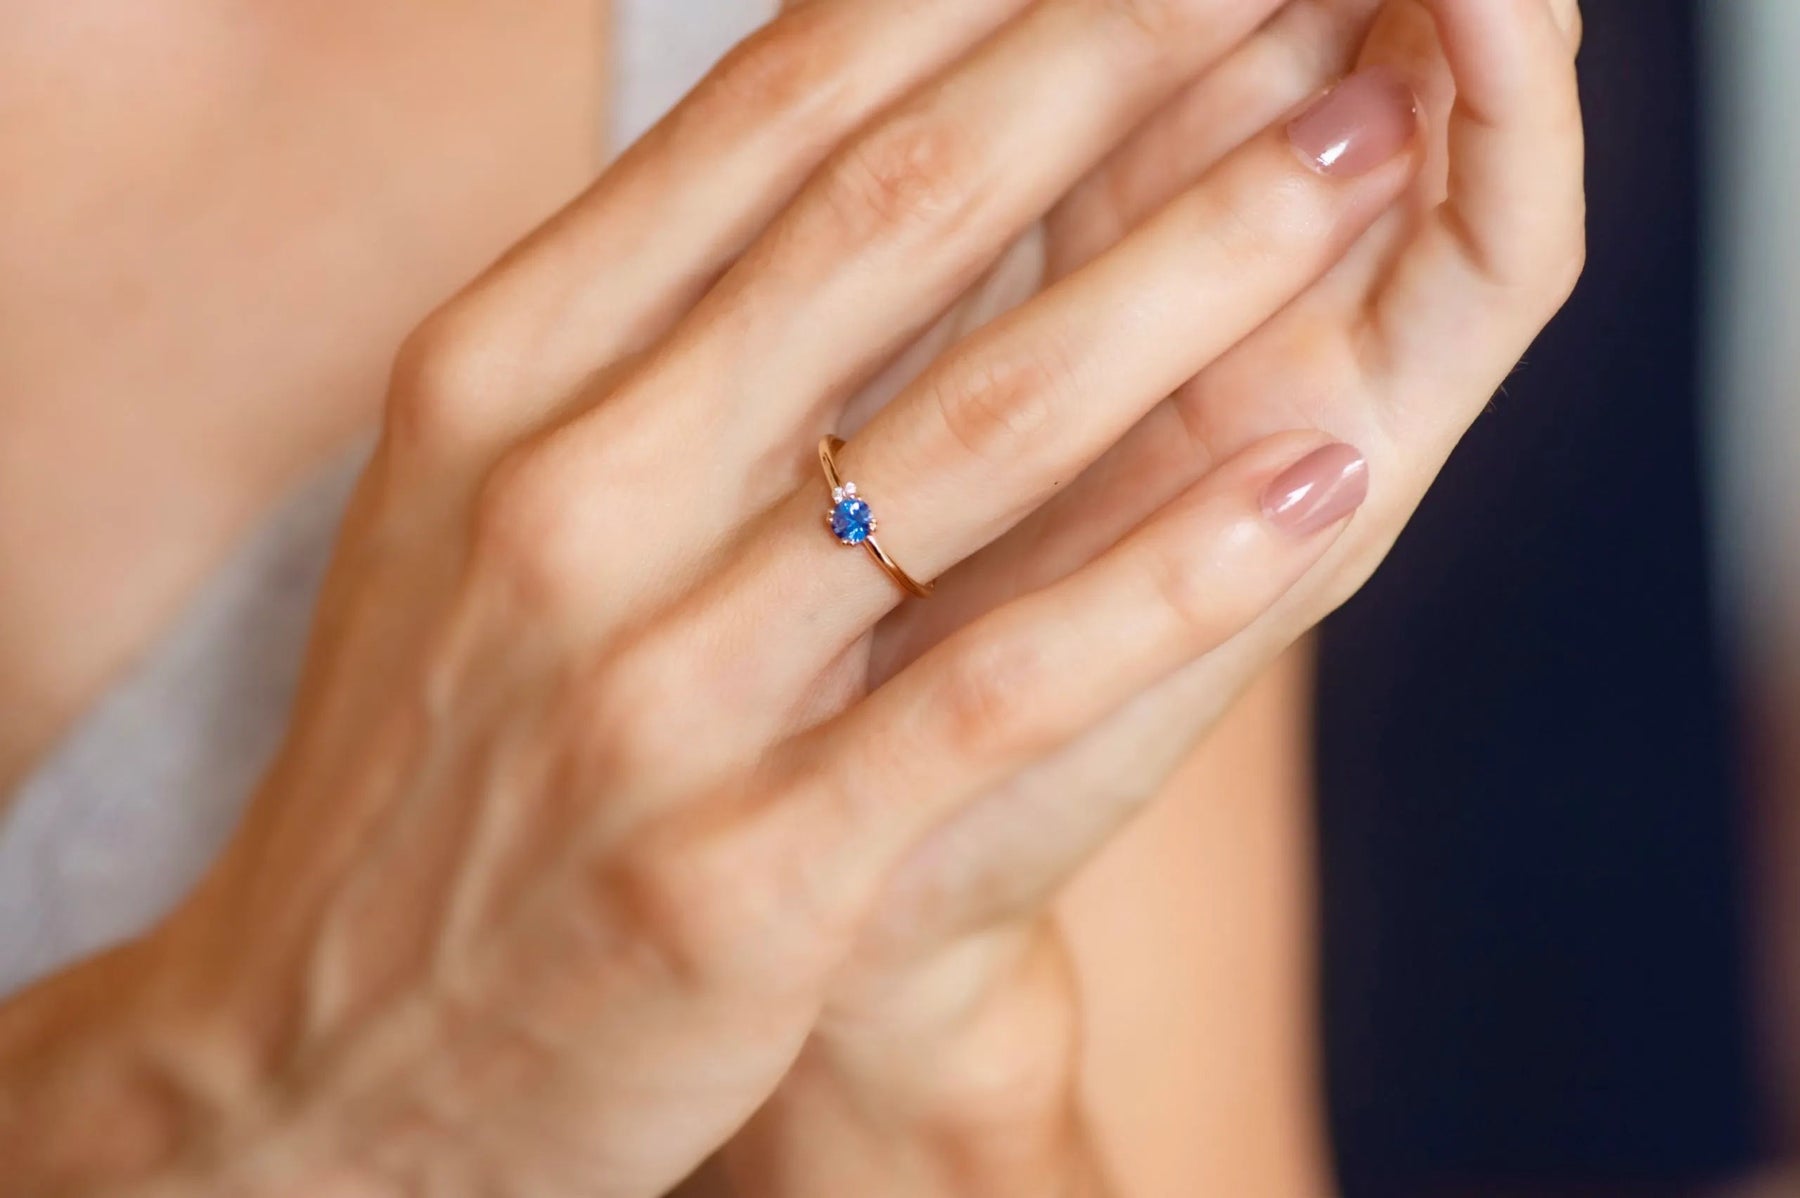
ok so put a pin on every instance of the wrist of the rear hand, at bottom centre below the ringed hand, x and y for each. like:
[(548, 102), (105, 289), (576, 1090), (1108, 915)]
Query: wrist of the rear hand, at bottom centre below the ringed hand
[(960, 1080)]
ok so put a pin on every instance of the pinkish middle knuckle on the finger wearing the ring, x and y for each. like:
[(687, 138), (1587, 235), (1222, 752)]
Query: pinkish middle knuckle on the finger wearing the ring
[(993, 406)]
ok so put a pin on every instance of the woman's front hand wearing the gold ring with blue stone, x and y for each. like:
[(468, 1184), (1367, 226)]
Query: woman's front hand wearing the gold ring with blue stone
[(595, 787)]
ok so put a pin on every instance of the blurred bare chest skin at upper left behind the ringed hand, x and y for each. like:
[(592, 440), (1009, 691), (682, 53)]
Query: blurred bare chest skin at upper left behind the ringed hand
[(125, 476)]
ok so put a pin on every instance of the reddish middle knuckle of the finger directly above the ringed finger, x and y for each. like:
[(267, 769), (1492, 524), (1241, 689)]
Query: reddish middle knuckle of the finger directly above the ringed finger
[(915, 170)]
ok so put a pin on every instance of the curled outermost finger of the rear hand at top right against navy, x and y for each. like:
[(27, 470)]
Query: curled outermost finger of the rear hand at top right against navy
[(1504, 251)]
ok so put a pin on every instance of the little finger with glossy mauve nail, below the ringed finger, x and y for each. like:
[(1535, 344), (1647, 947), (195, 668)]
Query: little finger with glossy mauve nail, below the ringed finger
[(1029, 679)]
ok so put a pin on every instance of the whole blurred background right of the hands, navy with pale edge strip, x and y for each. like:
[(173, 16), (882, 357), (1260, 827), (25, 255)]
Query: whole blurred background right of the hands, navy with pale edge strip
[(1561, 866)]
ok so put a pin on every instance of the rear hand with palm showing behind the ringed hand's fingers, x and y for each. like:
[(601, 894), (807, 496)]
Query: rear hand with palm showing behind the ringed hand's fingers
[(1394, 361)]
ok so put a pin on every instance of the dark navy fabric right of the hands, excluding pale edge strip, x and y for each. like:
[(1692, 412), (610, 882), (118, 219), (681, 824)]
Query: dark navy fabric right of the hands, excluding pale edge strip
[(1534, 951)]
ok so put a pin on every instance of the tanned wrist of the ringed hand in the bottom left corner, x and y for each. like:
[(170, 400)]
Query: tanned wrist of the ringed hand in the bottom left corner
[(130, 1075)]
